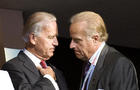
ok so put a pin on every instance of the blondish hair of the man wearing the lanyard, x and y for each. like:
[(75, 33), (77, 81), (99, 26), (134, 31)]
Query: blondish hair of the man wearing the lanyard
[(94, 24)]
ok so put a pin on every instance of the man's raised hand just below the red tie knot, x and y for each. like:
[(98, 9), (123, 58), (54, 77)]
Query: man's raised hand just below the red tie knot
[(47, 70)]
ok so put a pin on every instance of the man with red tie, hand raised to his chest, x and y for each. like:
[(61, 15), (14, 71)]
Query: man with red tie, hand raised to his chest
[(28, 70)]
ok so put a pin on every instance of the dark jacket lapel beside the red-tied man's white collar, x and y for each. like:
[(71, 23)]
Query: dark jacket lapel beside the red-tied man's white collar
[(28, 63)]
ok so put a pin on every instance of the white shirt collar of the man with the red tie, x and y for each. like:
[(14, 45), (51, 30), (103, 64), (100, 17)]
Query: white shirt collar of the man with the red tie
[(34, 59)]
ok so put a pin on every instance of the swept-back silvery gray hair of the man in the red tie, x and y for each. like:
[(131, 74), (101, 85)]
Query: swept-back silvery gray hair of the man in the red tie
[(35, 22)]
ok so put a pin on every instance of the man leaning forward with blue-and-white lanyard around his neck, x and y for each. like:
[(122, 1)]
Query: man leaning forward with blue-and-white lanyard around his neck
[(105, 68)]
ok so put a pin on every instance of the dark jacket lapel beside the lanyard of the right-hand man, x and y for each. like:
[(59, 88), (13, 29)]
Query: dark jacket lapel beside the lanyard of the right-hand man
[(98, 69)]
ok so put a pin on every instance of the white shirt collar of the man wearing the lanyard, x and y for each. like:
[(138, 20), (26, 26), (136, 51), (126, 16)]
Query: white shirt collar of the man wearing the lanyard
[(95, 56)]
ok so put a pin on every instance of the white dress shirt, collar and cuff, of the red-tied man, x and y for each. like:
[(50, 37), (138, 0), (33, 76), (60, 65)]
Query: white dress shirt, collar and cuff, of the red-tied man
[(37, 61)]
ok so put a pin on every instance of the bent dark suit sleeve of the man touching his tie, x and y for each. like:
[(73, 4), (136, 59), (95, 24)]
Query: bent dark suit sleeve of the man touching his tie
[(21, 82)]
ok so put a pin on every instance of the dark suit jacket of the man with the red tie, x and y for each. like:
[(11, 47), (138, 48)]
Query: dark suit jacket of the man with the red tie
[(25, 75)]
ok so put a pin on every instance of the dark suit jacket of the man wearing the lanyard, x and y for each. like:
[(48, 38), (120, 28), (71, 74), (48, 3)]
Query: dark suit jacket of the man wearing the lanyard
[(113, 72)]
